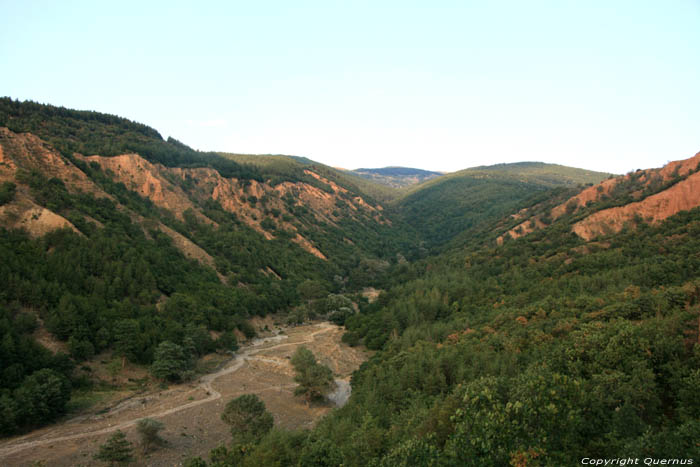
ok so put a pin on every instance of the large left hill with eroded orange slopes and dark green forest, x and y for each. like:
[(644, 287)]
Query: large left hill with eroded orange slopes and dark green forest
[(115, 240)]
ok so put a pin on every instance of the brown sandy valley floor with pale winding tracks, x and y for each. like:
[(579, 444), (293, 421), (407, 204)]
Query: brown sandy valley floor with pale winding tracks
[(191, 412)]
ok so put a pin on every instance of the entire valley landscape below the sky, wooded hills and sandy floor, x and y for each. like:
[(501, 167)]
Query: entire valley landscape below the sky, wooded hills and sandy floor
[(516, 314)]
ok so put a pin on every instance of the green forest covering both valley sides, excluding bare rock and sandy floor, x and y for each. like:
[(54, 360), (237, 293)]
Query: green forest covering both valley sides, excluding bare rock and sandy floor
[(539, 350)]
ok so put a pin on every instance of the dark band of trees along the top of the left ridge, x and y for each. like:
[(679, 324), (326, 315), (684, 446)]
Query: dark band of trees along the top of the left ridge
[(89, 133)]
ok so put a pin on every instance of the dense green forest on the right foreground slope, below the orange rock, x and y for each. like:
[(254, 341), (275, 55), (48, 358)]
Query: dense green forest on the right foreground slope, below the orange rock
[(541, 351)]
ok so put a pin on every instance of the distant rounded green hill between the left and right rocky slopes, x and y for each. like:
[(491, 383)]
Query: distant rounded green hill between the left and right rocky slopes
[(459, 205)]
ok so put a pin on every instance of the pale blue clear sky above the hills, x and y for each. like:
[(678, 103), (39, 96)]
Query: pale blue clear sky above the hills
[(604, 85)]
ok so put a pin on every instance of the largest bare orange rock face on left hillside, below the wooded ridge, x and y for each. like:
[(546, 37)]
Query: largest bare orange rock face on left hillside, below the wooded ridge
[(251, 201)]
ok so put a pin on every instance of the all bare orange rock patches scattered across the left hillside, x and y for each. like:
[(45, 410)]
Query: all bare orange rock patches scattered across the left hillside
[(264, 207)]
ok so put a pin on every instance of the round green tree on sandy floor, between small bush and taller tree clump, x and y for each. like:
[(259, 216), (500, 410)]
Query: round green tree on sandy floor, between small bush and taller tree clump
[(248, 418)]
